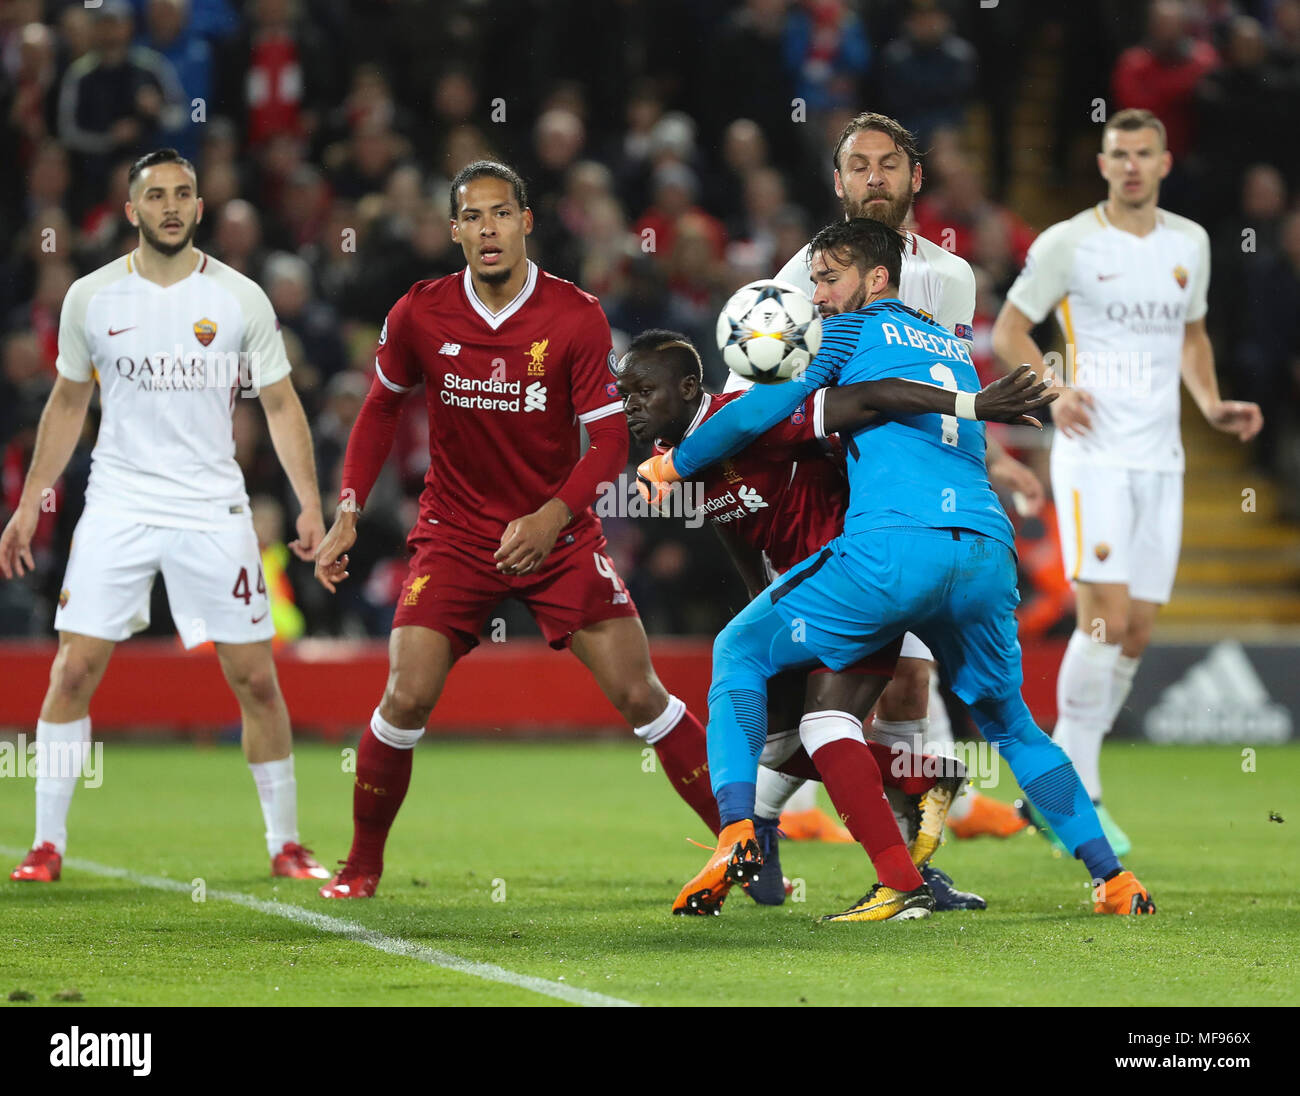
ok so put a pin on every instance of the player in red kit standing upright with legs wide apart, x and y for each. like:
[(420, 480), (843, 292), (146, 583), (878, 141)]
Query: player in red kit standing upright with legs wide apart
[(512, 361)]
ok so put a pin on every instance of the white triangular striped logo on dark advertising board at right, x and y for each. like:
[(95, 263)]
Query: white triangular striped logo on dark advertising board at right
[(1220, 699)]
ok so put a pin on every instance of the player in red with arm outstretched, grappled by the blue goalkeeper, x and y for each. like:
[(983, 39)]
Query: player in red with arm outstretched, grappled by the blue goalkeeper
[(785, 499)]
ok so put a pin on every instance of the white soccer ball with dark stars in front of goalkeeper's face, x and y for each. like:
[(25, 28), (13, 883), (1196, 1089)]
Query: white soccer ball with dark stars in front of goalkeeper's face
[(769, 331)]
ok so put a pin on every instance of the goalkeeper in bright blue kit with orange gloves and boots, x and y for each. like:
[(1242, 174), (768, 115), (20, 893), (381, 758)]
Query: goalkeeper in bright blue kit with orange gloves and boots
[(926, 548)]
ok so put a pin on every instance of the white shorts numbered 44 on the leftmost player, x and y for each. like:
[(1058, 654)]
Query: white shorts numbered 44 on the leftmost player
[(214, 579)]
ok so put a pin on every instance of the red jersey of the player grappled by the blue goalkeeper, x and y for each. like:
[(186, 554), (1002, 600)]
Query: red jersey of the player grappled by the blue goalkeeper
[(782, 493)]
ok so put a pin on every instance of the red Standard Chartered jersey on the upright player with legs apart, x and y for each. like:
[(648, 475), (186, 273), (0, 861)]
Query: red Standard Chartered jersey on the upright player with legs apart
[(505, 392)]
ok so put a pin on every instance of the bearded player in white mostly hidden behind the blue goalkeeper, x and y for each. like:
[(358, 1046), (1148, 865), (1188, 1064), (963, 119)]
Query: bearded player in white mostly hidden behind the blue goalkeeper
[(878, 172)]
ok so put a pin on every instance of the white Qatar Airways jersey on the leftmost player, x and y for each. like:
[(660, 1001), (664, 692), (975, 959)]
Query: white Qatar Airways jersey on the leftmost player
[(171, 363)]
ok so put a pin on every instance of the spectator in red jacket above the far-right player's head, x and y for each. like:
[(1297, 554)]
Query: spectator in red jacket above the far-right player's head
[(1162, 73)]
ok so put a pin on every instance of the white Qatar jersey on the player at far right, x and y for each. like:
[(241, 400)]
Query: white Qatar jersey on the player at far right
[(1124, 304)]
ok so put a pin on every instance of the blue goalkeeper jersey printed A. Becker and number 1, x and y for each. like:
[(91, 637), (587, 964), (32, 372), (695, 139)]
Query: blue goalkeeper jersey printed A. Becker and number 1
[(905, 471)]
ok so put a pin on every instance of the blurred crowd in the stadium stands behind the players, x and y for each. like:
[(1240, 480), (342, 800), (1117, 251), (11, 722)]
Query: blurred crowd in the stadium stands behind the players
[(674, 151)]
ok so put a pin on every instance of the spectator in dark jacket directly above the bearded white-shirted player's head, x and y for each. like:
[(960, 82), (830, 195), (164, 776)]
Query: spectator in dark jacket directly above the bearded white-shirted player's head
[(928, 75)]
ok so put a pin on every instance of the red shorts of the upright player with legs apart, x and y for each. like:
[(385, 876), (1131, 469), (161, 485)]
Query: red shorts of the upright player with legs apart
[(453, 586)]
